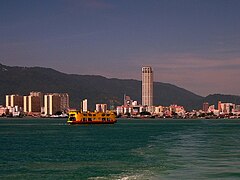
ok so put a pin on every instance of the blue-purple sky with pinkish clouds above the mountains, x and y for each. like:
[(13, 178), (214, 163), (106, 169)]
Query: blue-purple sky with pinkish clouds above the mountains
[(194, 44)]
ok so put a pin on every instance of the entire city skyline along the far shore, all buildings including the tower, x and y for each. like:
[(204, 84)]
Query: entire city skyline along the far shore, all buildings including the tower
[(48, 104)]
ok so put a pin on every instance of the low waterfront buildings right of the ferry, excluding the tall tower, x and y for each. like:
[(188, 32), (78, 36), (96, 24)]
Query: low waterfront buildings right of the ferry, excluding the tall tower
[(131, 108)]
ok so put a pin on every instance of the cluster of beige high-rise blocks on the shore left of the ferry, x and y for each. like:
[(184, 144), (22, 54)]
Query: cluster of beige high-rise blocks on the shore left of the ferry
[(36, 104)]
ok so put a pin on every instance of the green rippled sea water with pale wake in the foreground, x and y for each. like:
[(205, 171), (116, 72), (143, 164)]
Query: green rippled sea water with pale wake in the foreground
[(129, 149)]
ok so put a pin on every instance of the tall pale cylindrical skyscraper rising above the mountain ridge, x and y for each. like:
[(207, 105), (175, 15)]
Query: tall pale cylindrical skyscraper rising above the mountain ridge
[(147, 86)]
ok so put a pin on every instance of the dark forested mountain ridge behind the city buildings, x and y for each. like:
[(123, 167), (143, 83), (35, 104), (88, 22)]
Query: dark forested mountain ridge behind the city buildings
[(97, 89)]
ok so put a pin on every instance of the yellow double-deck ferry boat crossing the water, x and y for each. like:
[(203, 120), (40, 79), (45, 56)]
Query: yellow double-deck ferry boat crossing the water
[(78, 117)]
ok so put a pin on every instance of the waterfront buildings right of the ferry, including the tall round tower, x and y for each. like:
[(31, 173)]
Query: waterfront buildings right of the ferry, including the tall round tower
[(133, 109)]
